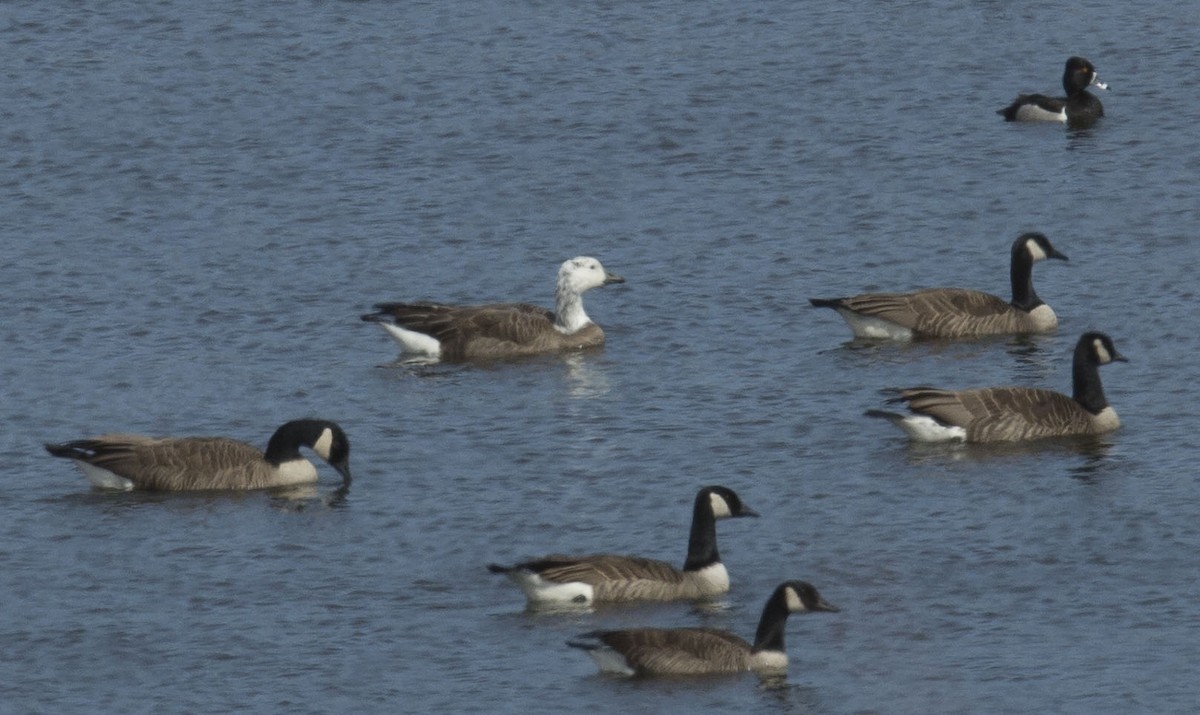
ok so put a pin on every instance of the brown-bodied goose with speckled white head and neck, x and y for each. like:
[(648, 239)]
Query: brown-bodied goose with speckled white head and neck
[(433, 332)]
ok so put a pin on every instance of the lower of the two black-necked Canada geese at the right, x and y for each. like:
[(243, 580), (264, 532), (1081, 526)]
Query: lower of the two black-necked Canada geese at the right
[(1015, 414)]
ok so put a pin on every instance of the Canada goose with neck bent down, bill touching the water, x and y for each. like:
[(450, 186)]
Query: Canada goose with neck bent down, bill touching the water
[(195, 464)]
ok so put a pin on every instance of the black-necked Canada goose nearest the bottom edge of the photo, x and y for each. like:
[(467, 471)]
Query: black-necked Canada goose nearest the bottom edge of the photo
[(697, 652)]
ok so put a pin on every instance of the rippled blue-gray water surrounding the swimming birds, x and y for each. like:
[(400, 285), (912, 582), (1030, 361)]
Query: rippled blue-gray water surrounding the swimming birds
[(199, 203)]
